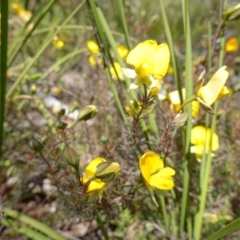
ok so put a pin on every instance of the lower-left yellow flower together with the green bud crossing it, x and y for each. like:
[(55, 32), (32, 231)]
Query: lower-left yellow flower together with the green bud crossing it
[(96, 185)]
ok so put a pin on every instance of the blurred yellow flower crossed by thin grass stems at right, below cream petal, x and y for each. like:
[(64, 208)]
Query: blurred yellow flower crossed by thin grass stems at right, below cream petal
[(201, 139)]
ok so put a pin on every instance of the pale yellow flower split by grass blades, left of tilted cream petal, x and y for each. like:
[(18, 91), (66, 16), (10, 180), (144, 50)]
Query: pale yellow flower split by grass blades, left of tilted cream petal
[(175, 100)]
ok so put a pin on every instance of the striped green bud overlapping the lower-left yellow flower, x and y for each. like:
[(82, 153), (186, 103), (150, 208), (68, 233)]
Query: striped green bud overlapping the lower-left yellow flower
[(107, 171)]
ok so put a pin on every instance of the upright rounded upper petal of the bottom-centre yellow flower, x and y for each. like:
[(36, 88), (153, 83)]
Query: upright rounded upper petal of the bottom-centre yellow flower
[(150, 163)]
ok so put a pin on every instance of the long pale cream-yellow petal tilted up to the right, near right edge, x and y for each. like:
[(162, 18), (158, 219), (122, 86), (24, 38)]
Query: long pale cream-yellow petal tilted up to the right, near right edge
[(210, 92)]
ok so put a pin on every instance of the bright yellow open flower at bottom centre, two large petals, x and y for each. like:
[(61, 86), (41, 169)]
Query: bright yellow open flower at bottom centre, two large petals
[(155, 175)]
